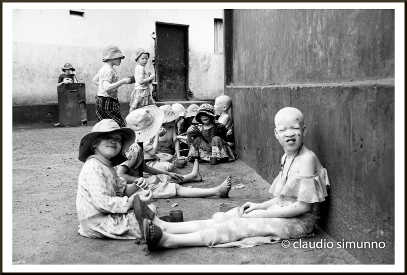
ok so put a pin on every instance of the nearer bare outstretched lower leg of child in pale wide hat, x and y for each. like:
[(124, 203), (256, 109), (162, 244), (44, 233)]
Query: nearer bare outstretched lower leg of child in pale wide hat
[(222, 190)]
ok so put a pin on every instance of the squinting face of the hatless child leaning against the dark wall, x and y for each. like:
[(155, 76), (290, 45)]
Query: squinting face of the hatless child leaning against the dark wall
[(289, 131)]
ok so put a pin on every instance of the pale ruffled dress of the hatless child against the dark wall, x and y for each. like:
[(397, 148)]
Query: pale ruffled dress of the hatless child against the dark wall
[(228, 229)]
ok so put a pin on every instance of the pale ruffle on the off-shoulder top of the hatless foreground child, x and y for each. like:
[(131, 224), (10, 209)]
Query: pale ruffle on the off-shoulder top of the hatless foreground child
[(308, 189)]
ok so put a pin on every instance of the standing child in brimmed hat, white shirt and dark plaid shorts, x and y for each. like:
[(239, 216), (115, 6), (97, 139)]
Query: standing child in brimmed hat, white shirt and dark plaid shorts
[(107, 102)]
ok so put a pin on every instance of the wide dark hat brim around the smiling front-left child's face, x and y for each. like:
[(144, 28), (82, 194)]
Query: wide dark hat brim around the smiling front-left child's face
[(88, 140)]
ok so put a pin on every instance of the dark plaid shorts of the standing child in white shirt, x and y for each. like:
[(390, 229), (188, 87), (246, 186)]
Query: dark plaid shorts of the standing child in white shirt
[(108, 107)]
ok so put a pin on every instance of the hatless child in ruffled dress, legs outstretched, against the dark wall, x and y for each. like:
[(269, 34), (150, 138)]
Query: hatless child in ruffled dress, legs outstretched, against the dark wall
[(291, 214)]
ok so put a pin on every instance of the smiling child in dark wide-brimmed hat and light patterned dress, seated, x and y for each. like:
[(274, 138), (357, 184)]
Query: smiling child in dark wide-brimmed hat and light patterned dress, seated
[(104, 200)]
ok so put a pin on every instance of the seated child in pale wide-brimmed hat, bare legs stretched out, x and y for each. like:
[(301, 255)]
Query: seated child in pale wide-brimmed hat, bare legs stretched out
[(164, 184)]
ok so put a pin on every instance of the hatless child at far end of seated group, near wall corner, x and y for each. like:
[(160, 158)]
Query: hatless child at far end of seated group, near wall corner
[(222, 105)]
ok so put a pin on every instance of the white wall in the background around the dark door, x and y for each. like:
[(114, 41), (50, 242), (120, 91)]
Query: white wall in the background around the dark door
[(44, 40)]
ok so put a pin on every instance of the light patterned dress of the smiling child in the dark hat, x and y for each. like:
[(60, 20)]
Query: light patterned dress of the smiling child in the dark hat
[(103, 210)]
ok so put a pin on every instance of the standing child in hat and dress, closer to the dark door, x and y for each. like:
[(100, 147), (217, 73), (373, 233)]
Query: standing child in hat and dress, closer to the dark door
[(142, 95)]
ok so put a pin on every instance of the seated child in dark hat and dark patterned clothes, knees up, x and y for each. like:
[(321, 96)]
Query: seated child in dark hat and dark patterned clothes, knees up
[(208, 138)]
